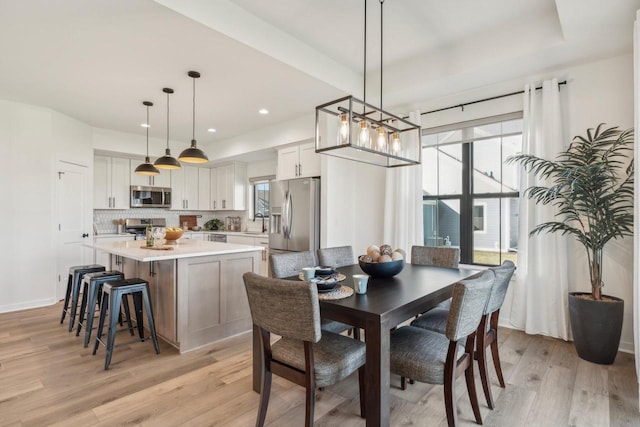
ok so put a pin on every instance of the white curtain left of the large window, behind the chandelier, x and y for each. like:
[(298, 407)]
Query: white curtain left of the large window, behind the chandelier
[(403, 204)]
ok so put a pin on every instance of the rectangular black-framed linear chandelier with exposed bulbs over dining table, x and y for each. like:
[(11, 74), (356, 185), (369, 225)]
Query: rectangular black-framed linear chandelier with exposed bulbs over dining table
[(356, 130)]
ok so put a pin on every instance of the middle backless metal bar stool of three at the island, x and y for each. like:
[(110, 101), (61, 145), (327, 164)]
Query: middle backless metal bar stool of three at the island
[(91, 295)]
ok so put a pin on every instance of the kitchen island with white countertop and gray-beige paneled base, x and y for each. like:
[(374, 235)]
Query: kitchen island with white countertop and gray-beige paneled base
[(197, 291)]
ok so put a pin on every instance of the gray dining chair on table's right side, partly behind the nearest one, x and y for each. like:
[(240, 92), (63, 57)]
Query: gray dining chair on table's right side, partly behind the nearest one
[(436, 320)]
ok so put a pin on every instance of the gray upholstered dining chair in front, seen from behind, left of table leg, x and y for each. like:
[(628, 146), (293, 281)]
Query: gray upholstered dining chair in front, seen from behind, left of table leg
[(304, 354)]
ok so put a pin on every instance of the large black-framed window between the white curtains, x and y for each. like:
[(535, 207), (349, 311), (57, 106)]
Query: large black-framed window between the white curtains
[(470, 195)]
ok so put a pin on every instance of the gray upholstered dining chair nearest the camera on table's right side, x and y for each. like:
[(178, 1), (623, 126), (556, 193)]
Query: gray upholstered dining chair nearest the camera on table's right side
[(434, 358)]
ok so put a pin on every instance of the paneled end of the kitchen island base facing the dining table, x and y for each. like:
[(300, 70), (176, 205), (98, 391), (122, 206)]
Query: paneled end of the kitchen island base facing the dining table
[(212, 301)]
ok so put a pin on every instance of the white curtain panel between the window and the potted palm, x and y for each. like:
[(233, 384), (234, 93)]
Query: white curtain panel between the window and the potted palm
[(540, 304)]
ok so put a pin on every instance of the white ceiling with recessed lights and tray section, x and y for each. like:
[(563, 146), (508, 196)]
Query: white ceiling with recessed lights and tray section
[(98, 60)]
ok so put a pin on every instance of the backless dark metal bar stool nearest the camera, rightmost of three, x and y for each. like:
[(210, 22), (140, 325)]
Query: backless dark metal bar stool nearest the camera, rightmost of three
[(113, 295)]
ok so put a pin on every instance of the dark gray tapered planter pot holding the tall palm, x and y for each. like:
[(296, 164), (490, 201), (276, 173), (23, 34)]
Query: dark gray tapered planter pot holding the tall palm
[(596, 326)]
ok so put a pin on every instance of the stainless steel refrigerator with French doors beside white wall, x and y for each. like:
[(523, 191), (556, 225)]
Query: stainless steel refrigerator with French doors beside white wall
[(295, 215)]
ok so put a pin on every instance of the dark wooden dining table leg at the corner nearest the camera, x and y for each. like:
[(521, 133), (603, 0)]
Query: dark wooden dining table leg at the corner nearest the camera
[(378, 377)]
